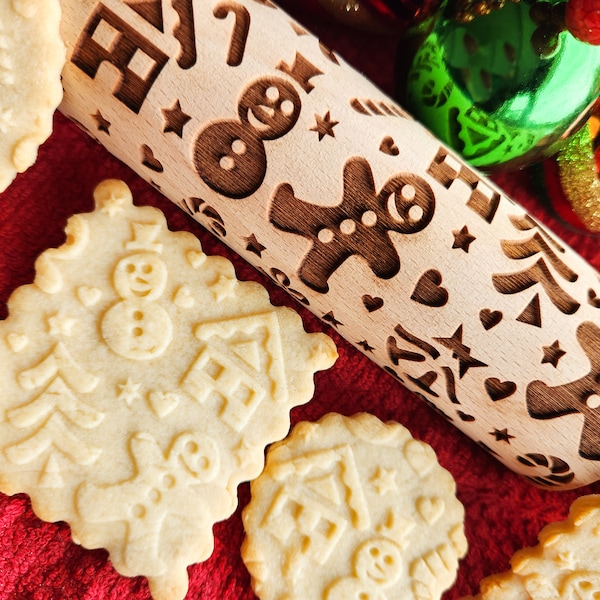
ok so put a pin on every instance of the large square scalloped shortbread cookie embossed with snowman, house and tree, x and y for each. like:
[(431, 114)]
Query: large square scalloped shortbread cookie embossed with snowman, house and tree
[(140, 382)]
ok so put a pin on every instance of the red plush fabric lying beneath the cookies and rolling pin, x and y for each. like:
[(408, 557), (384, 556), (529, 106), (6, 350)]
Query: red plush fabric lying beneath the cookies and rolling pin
[(38, 561)]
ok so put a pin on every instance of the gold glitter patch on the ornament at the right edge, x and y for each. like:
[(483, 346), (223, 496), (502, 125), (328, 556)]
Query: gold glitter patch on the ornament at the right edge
[(579, 175)]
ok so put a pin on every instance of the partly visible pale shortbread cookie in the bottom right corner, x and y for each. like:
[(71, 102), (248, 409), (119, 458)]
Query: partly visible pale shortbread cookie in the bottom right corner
[(565, 565)]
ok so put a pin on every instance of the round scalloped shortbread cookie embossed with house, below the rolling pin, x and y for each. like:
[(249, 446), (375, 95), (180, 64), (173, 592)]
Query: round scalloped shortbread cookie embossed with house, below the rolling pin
[(350, 508)]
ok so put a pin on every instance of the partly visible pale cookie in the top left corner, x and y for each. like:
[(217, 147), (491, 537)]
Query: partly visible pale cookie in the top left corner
[(31, 59)]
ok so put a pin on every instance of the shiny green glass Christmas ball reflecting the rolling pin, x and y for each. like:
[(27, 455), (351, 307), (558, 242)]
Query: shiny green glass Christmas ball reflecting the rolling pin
[(504, 88)]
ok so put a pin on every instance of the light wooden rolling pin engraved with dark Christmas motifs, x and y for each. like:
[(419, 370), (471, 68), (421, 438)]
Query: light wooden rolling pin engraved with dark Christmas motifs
[(243, 119)]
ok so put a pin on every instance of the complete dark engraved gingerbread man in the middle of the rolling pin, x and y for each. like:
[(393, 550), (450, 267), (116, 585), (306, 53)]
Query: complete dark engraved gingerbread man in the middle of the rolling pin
[(357, 226)]
